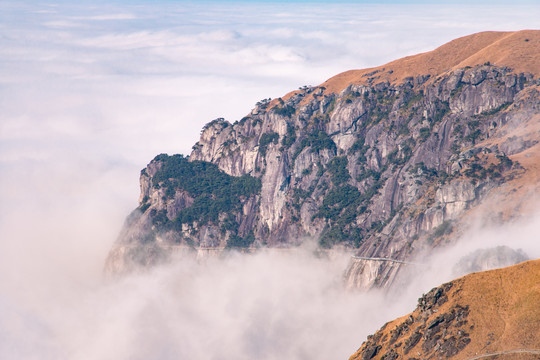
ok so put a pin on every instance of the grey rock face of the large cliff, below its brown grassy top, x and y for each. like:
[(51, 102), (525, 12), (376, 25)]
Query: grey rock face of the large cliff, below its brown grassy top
[(385, 169)]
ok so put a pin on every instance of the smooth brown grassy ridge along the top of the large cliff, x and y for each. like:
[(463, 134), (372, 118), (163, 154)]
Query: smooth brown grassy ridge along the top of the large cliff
[(517, 50)]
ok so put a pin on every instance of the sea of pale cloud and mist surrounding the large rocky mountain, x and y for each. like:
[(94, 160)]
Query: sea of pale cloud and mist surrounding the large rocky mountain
[(89, 93)]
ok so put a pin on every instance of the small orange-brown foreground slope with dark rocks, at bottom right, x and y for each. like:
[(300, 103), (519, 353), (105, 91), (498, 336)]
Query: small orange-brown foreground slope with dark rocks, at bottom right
[(486, 315)]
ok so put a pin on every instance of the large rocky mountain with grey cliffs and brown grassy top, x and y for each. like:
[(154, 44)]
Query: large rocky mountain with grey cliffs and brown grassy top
[(385, 162)]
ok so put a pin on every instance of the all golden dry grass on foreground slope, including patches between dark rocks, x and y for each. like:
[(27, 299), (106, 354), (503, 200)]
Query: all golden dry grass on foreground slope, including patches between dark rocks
[(504, 313)]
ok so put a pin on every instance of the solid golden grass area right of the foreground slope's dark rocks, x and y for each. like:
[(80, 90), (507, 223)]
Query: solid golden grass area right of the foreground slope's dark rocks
[(505, 303)]
